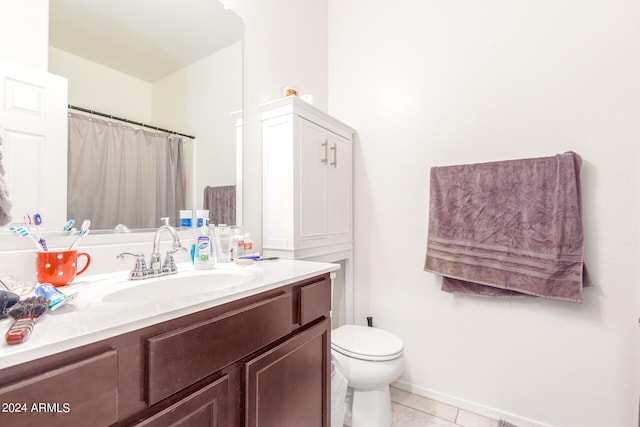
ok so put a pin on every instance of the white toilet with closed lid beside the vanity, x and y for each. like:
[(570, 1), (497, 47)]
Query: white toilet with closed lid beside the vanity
[(370, 359)]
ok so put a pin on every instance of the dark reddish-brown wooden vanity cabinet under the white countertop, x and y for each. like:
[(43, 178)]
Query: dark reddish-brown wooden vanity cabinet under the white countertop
[(263, 360)]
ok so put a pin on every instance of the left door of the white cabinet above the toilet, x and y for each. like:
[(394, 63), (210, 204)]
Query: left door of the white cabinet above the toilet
[(314, 157)]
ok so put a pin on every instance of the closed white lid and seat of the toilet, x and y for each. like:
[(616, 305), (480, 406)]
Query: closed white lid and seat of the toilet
[(363, 342)]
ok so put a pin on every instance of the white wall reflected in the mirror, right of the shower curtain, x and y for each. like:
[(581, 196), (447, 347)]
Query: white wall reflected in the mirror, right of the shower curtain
[(200, 100)]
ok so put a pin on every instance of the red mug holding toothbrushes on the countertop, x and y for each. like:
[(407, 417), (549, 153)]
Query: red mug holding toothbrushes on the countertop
[(59, 267)]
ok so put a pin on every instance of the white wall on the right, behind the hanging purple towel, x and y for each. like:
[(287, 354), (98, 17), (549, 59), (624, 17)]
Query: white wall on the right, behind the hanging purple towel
[(436, 83)]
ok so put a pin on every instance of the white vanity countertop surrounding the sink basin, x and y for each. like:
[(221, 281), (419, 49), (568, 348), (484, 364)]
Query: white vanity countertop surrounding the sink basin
[(89, 318)]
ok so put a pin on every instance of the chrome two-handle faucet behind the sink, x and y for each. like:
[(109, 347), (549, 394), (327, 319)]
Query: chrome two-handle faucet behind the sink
[(156, 267)]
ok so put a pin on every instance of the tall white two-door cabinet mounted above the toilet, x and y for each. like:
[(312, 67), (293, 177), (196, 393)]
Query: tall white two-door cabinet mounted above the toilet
[(307, 180)]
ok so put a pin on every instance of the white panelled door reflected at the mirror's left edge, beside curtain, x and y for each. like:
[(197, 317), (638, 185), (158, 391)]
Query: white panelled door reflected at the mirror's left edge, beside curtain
[(33, 125)]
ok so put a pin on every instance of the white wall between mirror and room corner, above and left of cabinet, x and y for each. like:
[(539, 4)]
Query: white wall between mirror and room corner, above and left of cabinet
[(285, 44)]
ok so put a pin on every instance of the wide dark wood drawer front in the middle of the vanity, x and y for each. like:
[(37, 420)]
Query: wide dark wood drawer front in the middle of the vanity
[(182, 357)]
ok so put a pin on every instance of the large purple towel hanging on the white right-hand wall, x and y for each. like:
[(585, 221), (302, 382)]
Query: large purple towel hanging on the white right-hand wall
[(508, 228)]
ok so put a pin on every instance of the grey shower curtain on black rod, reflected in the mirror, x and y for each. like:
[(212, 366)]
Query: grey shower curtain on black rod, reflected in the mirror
[(121, 175)]
